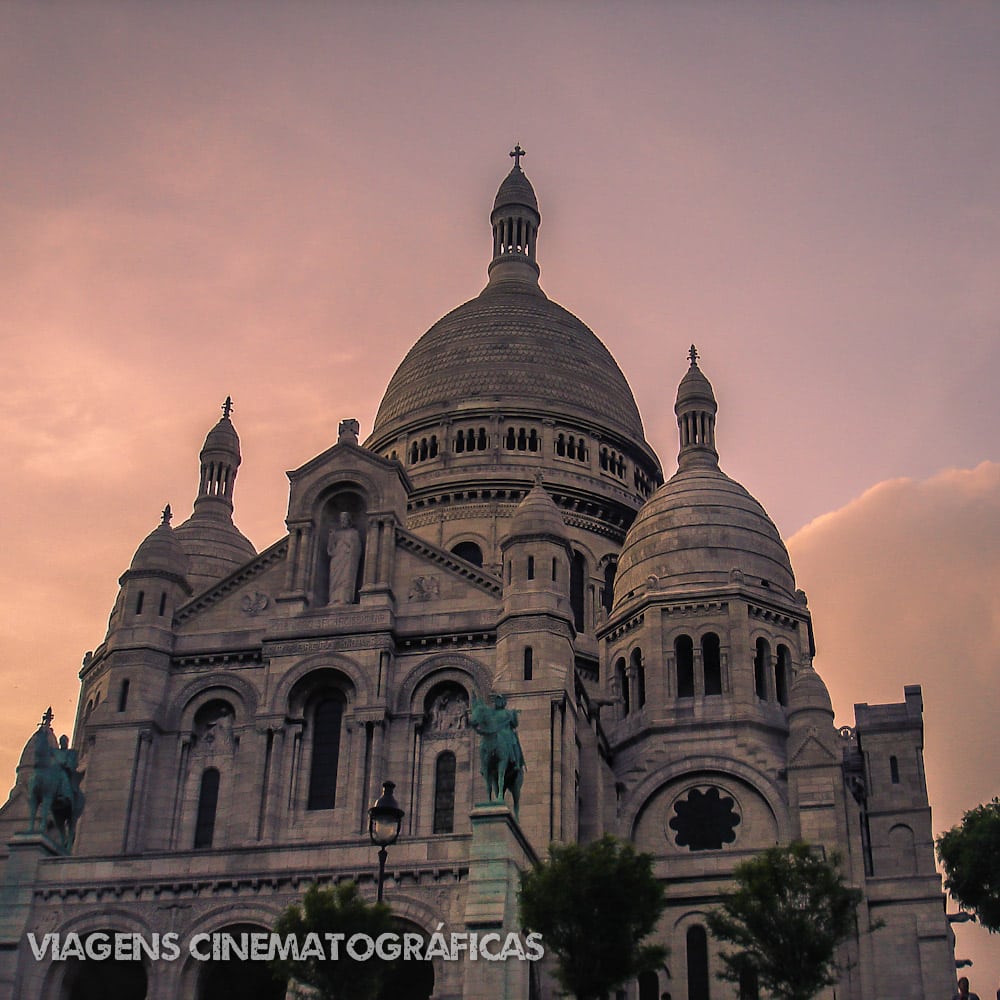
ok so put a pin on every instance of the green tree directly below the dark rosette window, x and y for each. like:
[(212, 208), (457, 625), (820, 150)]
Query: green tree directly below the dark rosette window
[(788, 914)]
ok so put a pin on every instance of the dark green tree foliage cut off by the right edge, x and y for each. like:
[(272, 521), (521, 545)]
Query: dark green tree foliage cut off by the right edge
[(970, 855)]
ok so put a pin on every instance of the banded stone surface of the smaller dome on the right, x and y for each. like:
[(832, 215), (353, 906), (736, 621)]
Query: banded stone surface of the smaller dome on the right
[(695, 530)]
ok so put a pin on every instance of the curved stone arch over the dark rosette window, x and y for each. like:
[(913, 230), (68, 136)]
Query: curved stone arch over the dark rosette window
[(700, 770)]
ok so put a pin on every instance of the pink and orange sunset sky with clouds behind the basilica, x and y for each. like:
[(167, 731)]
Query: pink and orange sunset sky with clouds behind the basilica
[(275, 200)]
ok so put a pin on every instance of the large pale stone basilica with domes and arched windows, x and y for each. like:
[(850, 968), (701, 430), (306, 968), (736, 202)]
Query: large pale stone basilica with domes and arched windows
[(504, 534)]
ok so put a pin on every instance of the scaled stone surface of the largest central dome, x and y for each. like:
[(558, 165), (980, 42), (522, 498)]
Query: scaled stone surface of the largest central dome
[(514, 345)]
